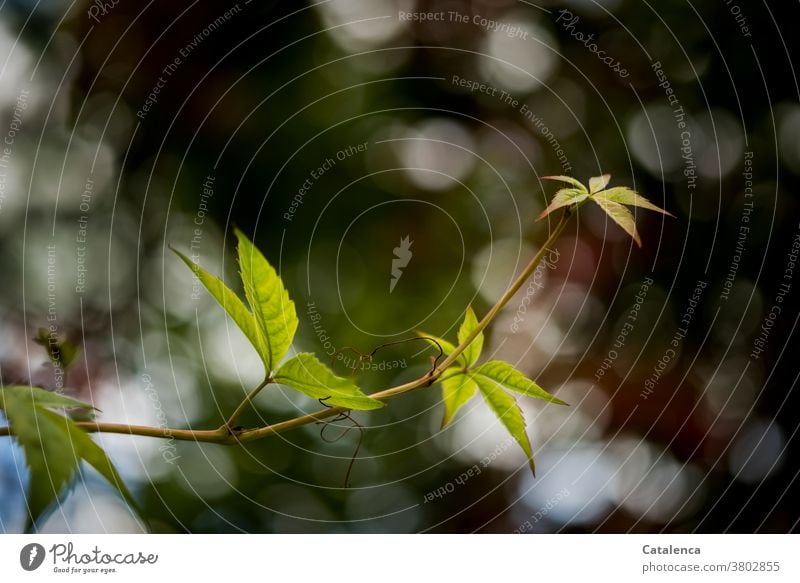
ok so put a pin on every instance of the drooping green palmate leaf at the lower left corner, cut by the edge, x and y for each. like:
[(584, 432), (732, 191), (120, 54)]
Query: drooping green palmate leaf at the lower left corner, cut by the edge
[(53, 445)]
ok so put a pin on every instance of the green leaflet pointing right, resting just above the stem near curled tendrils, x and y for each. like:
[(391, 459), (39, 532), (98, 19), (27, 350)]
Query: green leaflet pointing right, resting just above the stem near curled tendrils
[(305, 373)]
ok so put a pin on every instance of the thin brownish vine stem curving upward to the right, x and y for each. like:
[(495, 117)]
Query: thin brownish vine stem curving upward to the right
[(228, 435)]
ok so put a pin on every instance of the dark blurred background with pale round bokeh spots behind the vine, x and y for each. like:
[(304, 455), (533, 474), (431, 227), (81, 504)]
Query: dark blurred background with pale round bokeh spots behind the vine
[(331, 131)]
